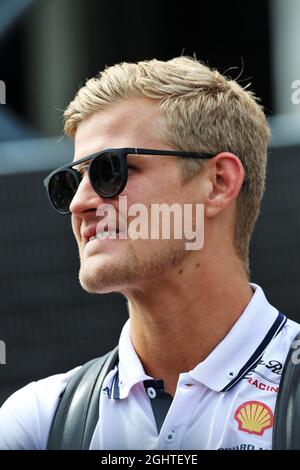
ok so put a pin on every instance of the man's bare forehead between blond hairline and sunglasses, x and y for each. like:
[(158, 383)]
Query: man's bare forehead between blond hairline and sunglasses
[(129, 123)]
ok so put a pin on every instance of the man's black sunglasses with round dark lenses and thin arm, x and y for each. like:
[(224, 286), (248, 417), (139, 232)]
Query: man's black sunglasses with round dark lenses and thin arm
[(107, 171)]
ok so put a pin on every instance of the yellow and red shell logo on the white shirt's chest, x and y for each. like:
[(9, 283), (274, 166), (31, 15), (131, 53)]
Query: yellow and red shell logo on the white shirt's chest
[(254, 417)]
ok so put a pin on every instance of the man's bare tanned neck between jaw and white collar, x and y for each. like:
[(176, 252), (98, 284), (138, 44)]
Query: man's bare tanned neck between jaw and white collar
[(178, 321)]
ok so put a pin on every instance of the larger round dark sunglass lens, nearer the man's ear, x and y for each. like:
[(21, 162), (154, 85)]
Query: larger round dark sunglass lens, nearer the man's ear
[(106, 174)]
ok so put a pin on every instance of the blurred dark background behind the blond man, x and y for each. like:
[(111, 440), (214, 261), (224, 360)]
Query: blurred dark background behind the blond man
[(47, 50)]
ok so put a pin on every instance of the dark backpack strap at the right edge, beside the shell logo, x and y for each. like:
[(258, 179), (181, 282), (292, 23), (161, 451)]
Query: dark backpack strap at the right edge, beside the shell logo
[(286, 429)]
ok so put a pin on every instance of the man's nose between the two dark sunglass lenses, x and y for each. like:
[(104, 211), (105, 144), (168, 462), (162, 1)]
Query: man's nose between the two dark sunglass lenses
[(85, 198)]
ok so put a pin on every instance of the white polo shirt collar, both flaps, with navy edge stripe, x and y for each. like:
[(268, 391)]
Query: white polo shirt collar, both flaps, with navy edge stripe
[(225, 365)]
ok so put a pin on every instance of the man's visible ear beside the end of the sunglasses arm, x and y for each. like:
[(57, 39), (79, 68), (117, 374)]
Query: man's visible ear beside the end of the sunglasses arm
[(226, 174)]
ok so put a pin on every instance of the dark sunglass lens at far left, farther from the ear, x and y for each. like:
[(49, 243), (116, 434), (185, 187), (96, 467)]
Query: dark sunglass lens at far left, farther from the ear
[(62, 188)]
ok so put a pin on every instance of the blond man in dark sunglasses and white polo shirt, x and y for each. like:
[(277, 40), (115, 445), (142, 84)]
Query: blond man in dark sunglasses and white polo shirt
[(201, 356)]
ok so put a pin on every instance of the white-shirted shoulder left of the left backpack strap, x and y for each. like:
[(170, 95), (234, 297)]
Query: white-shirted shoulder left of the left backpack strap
[(26, 416)]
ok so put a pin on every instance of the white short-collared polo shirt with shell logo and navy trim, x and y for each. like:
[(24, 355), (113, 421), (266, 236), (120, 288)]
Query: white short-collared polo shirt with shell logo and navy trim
[(226, 402)]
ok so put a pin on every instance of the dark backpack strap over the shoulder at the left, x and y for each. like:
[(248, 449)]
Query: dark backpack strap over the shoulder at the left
[(77, 412)]
